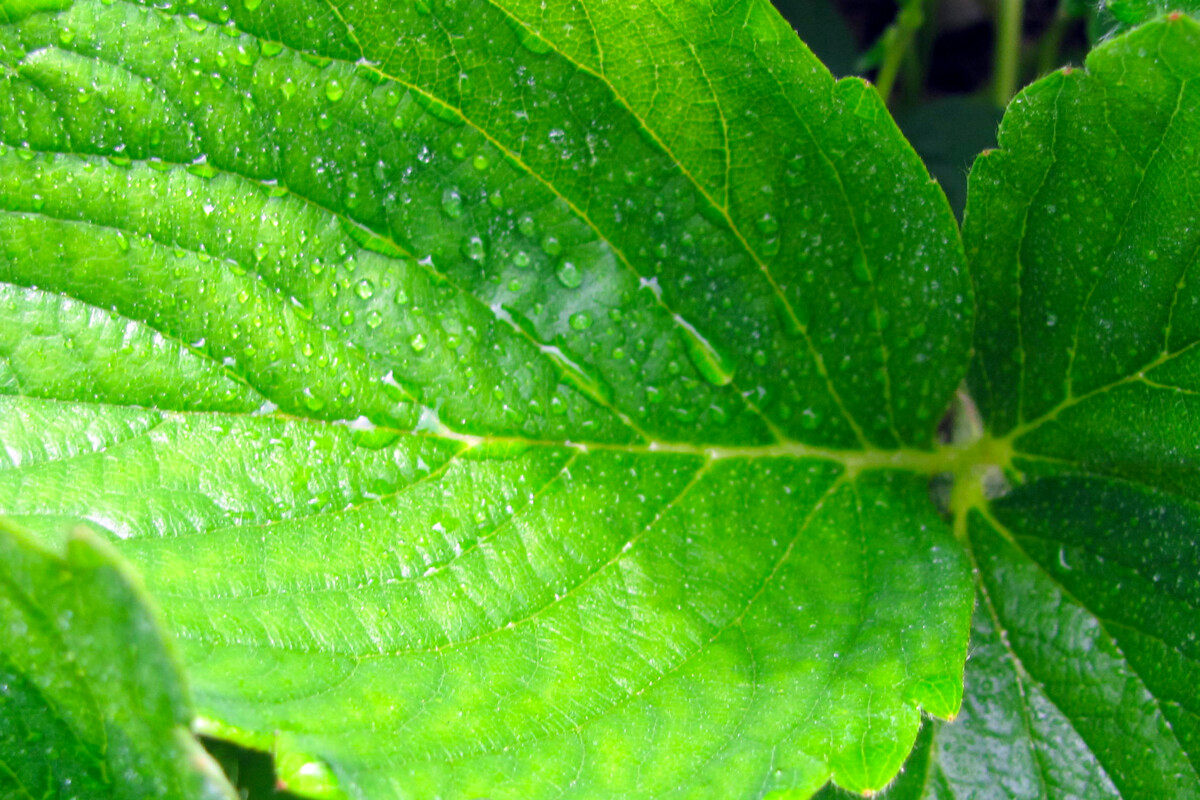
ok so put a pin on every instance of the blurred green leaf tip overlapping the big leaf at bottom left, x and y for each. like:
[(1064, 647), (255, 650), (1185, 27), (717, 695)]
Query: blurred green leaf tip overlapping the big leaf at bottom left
[(92, 702)]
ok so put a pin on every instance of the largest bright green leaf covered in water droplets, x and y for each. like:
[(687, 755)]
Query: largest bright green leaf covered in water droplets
[(501, 399)]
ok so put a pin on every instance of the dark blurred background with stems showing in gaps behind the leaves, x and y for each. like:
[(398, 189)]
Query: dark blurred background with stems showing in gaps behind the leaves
[(947, 69)]
